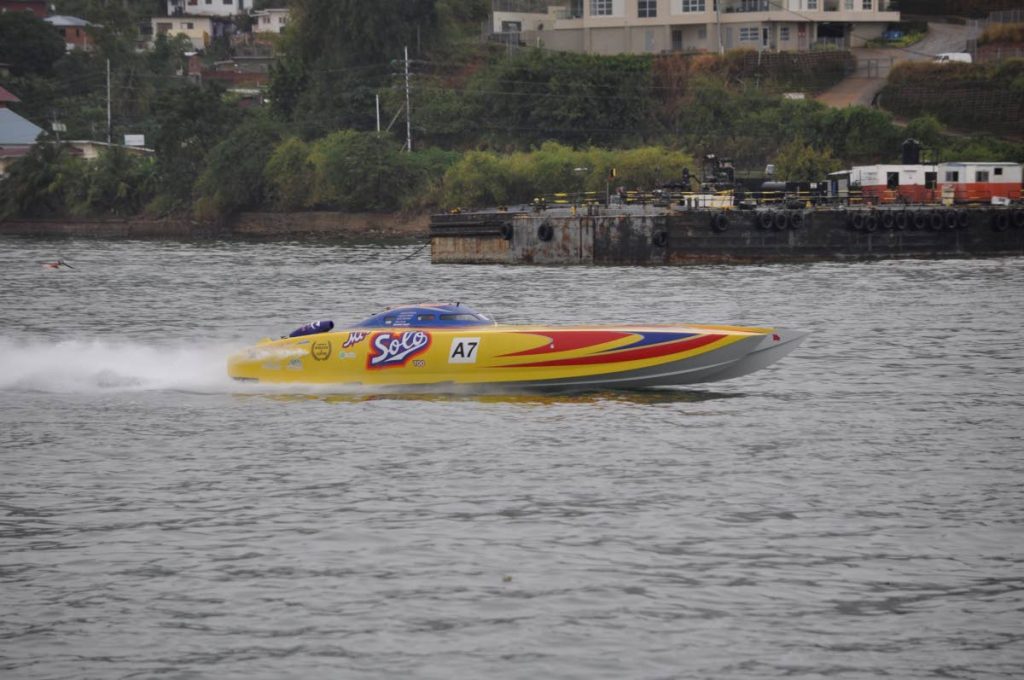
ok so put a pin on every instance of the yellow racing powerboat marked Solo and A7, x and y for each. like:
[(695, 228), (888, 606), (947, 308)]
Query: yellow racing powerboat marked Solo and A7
[(446, 346)]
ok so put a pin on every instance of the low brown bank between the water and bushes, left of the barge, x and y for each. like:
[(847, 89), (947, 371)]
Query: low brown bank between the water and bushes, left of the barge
[(255, 226)]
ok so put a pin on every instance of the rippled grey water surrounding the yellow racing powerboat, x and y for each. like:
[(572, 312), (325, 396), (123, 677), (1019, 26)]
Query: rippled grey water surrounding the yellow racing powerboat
[(855, 513)]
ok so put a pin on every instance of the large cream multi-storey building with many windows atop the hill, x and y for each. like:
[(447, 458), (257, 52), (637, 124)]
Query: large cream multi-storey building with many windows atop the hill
[(637, 27)]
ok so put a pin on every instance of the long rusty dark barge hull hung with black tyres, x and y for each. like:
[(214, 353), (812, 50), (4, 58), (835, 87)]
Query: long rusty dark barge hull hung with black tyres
[(647, 236)]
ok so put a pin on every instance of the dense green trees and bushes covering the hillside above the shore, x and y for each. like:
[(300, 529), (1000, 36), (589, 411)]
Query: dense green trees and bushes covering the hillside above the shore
[(489, 125)]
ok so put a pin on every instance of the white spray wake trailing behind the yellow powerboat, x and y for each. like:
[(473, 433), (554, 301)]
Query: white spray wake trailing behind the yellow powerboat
[(87, 366)]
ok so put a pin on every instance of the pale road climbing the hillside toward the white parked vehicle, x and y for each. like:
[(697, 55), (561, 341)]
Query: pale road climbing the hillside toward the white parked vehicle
[(874, 64)]
